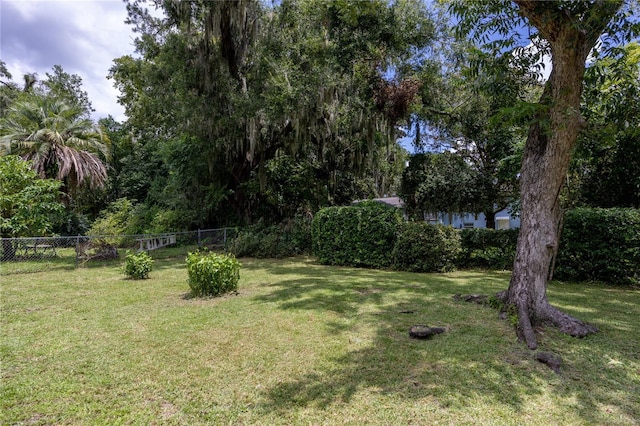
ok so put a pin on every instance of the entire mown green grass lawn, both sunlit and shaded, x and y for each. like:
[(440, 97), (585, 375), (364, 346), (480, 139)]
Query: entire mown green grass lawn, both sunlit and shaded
[(303, 343)]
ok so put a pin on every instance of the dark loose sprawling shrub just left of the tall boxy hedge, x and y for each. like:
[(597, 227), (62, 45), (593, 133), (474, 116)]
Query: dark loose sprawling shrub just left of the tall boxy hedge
[(289, 238)]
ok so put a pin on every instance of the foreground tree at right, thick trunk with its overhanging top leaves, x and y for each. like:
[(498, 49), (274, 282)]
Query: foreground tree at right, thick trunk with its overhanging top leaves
[(569, 30)]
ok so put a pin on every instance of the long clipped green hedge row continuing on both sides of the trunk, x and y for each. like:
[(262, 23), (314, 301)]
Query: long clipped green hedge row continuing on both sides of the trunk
[(596, 244)]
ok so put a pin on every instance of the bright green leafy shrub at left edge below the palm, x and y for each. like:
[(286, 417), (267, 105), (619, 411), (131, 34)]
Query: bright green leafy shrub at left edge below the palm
[(28, 204)]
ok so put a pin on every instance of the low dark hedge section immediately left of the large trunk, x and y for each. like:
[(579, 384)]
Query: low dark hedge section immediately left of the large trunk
[(488, 248)]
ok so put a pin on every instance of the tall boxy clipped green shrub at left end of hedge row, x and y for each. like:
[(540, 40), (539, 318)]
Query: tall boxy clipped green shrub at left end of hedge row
[(359, 235)]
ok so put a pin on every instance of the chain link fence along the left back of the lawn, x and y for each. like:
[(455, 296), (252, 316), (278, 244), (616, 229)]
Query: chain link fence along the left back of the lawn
[(19, 255)]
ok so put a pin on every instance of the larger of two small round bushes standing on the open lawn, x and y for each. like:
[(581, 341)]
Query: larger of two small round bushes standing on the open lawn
[(212, 274)]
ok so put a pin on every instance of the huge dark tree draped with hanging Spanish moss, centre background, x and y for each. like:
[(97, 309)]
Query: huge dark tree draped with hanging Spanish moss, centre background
[(223, 88)]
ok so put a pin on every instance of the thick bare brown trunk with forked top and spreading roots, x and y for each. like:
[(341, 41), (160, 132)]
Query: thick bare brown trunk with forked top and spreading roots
[(544, 166)]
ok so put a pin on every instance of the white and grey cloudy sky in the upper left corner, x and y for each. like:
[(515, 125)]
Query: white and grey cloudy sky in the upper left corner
[(83, 36)]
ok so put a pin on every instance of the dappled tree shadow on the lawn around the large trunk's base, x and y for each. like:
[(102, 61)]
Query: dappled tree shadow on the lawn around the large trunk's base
[(476, 360)]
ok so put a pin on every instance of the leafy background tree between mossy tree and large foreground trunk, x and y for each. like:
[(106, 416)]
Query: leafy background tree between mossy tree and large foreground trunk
[(463, 110)]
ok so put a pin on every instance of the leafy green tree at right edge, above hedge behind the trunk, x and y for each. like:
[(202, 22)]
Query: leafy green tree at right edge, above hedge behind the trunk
[(604, 171)]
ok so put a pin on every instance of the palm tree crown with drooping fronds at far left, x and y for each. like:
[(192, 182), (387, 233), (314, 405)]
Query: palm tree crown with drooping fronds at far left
[(57, 140)]
